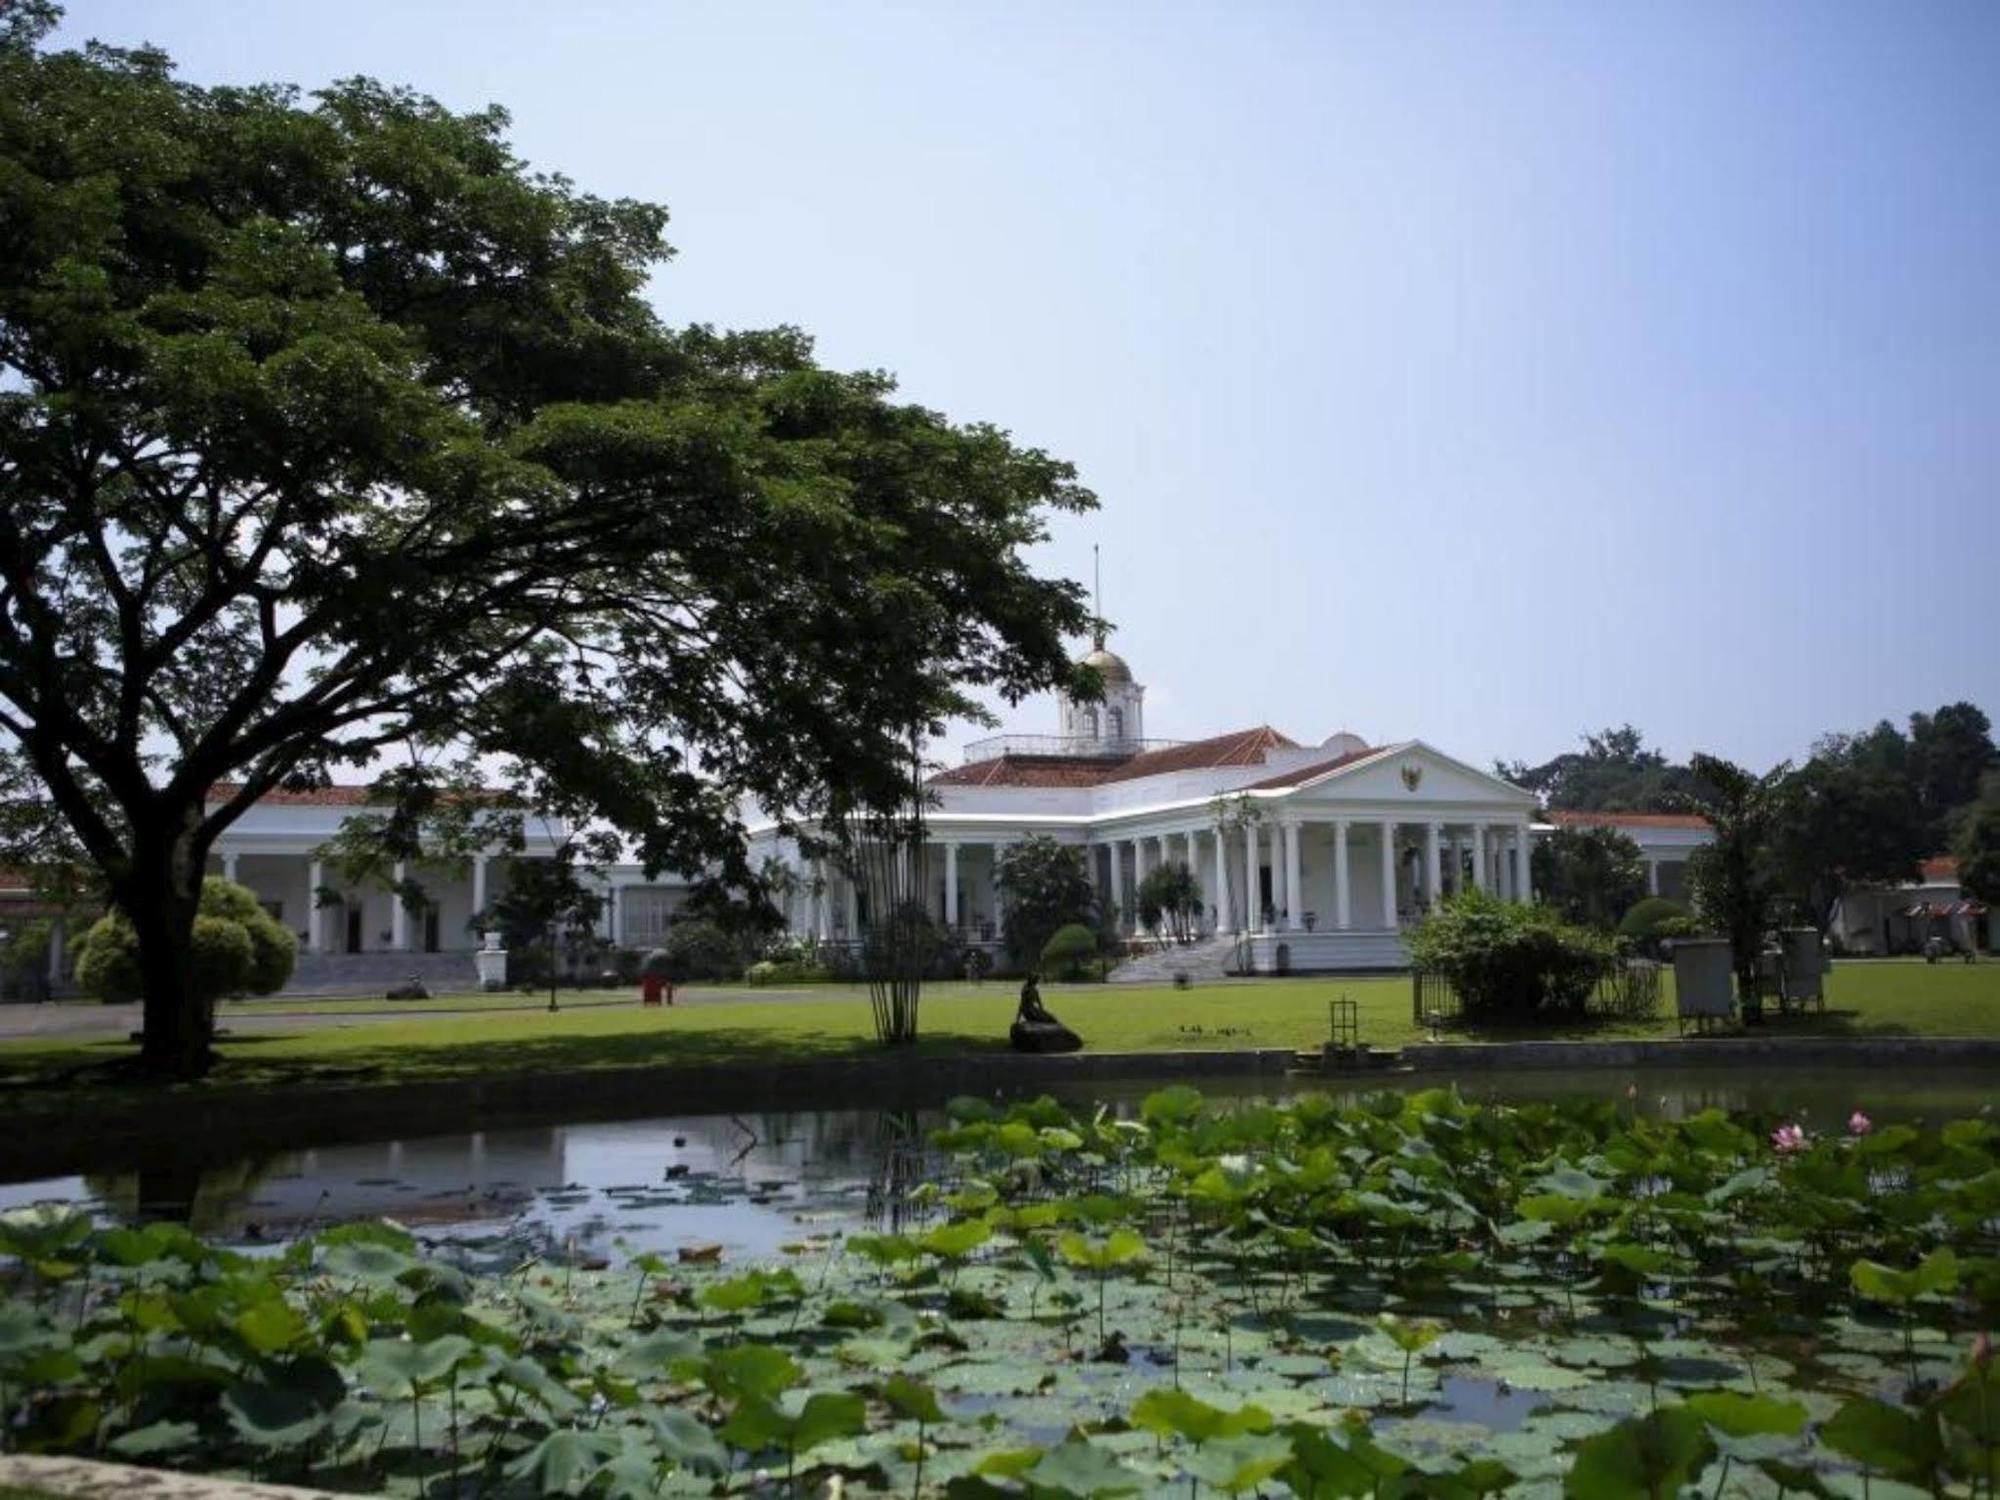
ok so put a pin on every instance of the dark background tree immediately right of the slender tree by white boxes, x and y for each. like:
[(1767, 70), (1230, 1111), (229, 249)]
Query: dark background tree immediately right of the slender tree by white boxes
[(1849, 817)]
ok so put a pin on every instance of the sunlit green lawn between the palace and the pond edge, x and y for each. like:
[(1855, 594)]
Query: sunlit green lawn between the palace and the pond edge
[(835, 1023)]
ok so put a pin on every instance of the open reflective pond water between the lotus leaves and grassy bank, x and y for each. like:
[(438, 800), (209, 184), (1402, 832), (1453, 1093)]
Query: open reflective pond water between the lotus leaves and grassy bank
[(759, 1181)]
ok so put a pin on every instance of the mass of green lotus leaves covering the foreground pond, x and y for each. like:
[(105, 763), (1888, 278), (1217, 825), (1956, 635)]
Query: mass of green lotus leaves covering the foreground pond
[(1391, 1295)]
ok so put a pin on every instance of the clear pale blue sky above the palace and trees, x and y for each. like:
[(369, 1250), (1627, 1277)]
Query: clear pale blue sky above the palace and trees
[(1483, 373)]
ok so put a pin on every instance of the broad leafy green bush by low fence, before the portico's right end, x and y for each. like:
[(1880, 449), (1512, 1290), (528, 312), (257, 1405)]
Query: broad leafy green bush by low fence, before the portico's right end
[(1511, 961)]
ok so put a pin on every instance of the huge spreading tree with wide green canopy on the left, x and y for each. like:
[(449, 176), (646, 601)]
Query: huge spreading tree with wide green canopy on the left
[(331, 429)]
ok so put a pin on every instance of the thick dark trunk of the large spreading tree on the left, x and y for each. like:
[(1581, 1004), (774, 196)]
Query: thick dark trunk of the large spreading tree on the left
[(161, 899)]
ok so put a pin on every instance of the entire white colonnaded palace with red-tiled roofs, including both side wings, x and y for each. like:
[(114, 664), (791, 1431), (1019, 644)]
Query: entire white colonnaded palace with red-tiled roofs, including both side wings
[(1309, 857)]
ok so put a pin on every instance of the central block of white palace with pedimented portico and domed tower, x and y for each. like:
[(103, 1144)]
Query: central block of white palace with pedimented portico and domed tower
[(1309, 857)]
